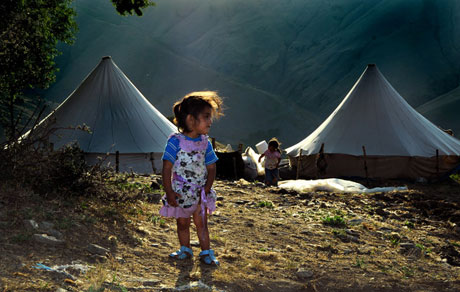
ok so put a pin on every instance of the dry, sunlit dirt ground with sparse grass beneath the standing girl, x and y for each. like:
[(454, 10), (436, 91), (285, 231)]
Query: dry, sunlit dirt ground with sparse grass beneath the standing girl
[(266, 239)]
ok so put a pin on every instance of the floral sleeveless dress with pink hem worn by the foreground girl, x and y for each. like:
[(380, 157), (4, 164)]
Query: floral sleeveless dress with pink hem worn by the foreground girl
[(189, 177)]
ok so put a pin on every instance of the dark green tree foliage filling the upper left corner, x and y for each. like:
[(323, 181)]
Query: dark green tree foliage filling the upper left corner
[(29, 33)]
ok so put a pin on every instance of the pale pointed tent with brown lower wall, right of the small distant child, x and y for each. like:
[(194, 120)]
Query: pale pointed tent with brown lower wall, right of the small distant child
[(374, 132)]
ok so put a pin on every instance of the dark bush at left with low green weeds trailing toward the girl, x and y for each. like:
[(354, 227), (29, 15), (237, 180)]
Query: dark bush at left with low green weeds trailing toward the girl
[(32, 164)]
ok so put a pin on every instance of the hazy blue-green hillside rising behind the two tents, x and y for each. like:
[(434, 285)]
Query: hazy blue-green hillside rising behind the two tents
[(298, 58)]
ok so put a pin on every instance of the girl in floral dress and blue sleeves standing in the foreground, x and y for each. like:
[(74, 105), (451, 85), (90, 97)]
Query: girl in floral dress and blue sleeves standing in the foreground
[(189, 170)]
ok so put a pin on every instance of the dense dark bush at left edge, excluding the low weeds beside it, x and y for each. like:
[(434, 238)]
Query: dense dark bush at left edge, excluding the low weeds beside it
[(46, 172)]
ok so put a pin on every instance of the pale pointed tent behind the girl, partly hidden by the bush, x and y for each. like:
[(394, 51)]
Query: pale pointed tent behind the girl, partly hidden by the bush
[(120, 119)]
